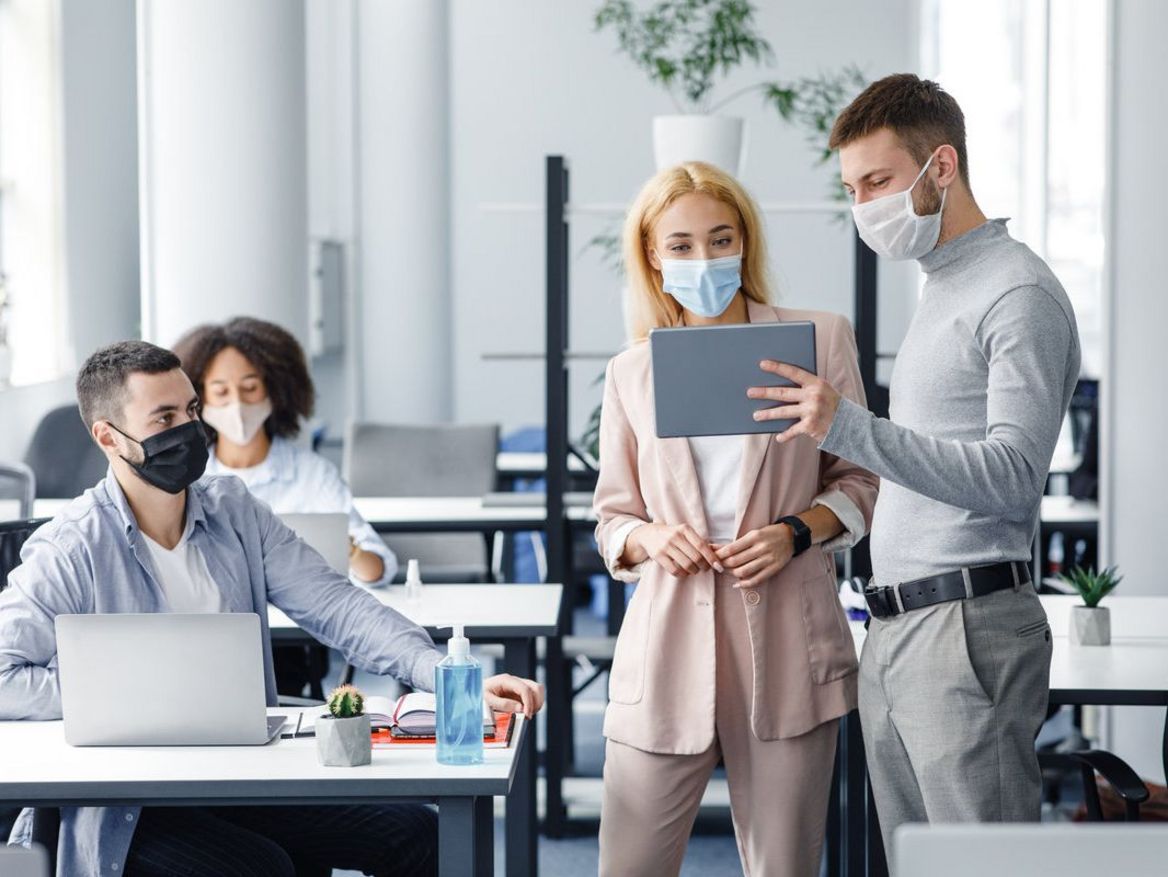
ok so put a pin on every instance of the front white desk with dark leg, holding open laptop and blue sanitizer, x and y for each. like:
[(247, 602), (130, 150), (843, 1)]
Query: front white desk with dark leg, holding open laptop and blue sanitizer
[(38, 768)]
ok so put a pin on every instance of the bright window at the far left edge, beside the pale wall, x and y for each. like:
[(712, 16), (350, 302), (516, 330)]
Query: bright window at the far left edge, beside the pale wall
[(32, 289)]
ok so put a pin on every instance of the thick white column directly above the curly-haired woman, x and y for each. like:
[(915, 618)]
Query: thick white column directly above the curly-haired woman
[(224, 177)]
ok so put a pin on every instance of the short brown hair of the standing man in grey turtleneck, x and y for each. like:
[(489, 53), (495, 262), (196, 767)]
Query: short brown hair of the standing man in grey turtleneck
[(919, 112)]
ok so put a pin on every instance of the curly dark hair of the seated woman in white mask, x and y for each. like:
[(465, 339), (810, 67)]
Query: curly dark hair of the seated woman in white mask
[(273, 351)]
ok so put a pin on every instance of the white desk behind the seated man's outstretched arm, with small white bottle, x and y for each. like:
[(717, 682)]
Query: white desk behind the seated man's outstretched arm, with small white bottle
[(513, 616)]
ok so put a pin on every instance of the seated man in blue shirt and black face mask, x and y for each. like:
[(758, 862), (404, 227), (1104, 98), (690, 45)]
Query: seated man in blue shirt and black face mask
[(148, 539)]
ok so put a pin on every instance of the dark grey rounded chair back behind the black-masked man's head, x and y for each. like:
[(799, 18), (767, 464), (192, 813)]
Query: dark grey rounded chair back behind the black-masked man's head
[(64, 456)]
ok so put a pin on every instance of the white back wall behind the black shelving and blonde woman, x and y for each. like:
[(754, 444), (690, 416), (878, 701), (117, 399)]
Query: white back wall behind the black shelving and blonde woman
[(530, 79)]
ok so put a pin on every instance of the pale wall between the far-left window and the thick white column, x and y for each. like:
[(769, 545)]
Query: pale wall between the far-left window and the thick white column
[(100, 201)]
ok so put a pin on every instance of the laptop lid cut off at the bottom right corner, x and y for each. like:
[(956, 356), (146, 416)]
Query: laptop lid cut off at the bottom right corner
[(1031, 851)]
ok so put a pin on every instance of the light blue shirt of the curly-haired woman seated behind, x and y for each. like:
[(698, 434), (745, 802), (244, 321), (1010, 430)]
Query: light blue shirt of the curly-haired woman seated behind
[(296, 481)]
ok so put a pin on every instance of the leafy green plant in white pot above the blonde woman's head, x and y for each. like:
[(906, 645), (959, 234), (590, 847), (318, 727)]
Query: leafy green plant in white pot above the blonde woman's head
[(686, 46)]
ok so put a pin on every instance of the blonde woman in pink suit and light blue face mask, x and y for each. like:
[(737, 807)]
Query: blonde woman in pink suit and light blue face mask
[(734, 645)]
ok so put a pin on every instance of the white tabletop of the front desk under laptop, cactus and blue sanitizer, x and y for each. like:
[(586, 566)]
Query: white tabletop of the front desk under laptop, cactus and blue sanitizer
[(38, 765)]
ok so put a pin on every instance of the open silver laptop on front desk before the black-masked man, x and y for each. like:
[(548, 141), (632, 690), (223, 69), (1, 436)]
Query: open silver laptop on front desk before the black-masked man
[(164, 680)]
